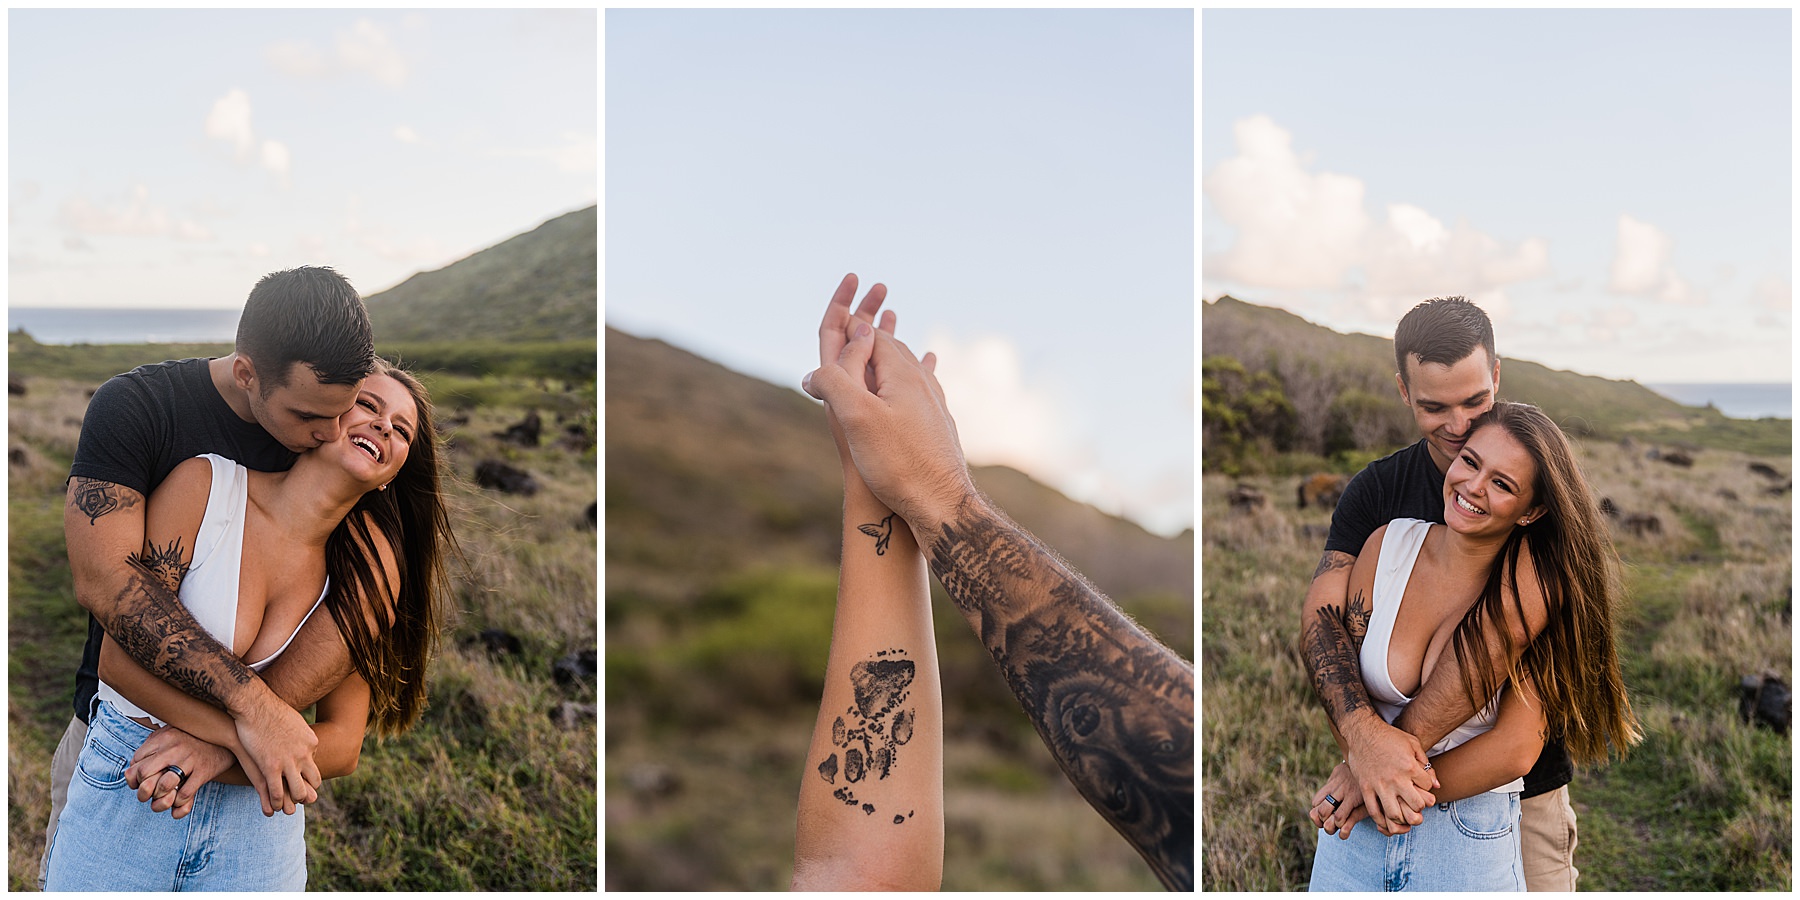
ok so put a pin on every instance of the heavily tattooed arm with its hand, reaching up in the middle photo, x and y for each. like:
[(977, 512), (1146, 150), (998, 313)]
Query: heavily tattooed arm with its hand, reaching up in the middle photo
[(1111, 703)]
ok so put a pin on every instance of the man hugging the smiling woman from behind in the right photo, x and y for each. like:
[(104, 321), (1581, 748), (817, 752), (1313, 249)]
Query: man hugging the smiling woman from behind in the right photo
[(1448, 375)]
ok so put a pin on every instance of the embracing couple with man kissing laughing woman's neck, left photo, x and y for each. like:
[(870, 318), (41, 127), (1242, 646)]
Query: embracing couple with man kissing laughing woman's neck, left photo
[(253, 535)]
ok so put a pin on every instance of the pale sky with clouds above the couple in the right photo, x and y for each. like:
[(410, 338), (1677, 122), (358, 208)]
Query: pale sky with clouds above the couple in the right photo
[(1614, 186)]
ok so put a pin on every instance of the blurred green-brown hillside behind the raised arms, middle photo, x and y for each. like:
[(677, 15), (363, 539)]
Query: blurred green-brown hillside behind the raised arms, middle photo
[(723, 526)]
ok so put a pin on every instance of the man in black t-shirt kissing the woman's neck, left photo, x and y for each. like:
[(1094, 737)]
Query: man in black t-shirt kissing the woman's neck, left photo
[(301, 354)]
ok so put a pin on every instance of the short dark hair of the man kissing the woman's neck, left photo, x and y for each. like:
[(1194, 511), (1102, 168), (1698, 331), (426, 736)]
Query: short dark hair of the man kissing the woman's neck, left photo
[(309, 316)]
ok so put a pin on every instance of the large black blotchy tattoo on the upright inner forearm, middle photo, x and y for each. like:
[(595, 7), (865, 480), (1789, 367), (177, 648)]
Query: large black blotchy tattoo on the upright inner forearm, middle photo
[(874, 726)]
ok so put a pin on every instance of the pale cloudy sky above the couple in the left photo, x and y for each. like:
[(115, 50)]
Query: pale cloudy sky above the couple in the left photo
[(168, 159)]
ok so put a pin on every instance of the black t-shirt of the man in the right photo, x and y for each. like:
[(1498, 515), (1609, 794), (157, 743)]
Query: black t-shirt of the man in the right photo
[(1408, 485)]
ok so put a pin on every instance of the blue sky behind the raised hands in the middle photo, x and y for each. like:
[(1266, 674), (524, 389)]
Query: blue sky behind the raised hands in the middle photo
[(1021, 181)]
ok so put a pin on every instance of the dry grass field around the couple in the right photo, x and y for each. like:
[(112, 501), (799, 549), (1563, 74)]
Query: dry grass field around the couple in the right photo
[(1702, 805)]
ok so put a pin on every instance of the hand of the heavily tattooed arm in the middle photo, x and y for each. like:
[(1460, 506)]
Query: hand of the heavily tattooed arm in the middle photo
[(901, 435)]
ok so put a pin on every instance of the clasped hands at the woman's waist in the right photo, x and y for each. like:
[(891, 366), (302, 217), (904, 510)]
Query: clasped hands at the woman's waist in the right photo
[(1385, 777)]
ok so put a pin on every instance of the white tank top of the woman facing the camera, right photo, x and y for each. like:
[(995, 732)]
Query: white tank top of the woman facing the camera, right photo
[(1399, 552)]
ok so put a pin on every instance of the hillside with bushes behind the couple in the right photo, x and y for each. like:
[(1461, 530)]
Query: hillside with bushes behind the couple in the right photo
[(1286, 395)]
